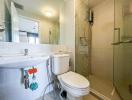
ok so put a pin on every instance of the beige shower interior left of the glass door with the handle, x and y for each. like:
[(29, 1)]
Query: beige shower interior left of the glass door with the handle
[(94, 52)]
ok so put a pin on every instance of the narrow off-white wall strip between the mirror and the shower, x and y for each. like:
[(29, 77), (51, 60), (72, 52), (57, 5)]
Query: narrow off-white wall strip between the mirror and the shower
[(67, 27)]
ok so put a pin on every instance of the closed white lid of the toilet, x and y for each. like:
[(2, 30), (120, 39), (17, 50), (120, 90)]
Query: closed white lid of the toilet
[(75, 80)]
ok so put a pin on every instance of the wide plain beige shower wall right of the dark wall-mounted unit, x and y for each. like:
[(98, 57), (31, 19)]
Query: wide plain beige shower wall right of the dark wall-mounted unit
[(102, 37)]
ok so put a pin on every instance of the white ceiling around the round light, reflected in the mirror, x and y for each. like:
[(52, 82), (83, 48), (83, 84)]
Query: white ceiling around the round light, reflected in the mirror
[(39, 6)]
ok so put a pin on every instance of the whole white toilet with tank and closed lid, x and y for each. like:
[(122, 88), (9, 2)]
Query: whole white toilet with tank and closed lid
[(74, 84)]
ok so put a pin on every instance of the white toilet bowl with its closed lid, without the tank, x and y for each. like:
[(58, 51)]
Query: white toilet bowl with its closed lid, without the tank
[(74, 83)]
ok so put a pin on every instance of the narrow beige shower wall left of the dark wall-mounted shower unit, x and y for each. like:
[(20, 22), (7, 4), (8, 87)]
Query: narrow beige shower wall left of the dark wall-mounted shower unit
[(83, 53)]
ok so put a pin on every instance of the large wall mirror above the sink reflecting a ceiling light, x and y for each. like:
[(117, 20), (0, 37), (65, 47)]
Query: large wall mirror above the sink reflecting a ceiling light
[(30, 21)]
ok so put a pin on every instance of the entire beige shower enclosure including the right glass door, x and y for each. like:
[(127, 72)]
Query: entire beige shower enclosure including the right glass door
[(103, 60)]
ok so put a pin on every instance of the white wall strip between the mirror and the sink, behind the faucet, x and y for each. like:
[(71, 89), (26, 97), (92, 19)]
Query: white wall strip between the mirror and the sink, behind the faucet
[(18, 48)]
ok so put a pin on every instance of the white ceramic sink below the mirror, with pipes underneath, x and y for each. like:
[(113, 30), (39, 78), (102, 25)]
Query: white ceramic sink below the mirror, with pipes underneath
[(21, 61)]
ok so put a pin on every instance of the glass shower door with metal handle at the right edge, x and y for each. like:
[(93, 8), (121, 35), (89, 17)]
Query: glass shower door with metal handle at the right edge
[(123, 48)]
